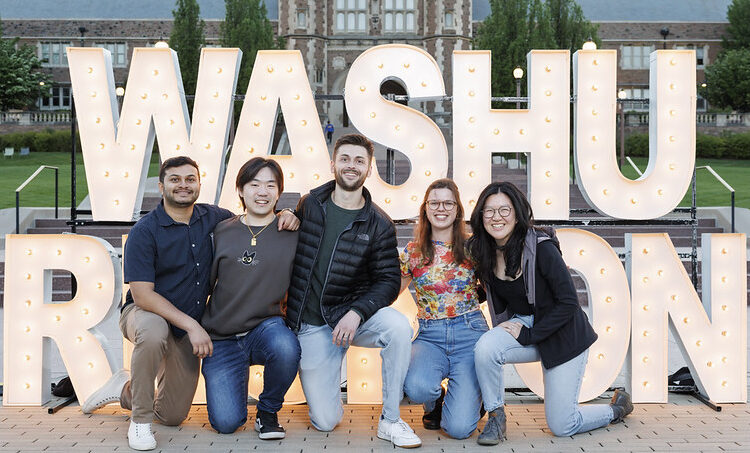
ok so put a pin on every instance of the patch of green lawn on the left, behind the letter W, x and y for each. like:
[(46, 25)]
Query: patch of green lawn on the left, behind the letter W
[(41, 191)]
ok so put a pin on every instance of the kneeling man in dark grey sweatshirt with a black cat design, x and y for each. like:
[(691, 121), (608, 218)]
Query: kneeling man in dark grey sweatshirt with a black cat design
[(250, 274)]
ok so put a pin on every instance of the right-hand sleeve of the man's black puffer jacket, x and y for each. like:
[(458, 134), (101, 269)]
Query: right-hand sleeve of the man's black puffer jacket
[(385, 272)]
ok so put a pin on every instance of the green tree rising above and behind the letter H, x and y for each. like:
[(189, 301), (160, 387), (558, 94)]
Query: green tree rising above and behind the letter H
[(514, 27)]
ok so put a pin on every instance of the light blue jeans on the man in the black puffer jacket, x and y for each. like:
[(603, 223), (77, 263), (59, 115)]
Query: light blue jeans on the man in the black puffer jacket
[(320, 365)]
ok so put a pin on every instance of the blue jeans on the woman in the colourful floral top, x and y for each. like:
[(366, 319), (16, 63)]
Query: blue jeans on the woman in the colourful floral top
[(444, 348)]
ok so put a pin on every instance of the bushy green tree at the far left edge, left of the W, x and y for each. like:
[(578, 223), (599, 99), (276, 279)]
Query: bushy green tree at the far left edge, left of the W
[(21, 82)]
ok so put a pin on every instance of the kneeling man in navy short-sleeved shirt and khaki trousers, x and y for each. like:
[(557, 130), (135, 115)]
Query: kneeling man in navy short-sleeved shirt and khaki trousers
[(167, 261)]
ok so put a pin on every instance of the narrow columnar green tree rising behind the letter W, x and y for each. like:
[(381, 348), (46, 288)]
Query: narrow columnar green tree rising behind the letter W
[(186, 39)]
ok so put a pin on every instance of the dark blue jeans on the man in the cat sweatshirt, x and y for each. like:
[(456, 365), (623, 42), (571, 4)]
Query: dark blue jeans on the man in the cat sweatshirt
[(270, 344)]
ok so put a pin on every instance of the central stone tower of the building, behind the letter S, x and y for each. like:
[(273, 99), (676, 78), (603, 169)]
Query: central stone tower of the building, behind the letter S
[(331, 34)]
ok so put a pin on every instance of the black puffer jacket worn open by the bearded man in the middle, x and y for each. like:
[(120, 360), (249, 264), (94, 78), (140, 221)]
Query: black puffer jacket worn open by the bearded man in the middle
[(364, 270)]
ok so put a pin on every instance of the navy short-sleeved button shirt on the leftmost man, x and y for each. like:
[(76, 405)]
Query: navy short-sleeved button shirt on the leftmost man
[(174, 256)]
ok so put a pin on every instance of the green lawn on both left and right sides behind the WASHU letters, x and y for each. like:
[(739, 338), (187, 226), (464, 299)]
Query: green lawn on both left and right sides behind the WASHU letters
[(13, 171)]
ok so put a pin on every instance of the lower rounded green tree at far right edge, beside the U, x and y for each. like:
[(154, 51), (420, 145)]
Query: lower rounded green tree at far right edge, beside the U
[(728, 80)]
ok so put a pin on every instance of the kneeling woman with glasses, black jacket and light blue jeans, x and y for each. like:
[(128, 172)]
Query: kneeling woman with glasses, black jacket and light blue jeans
[(536, 315)]
